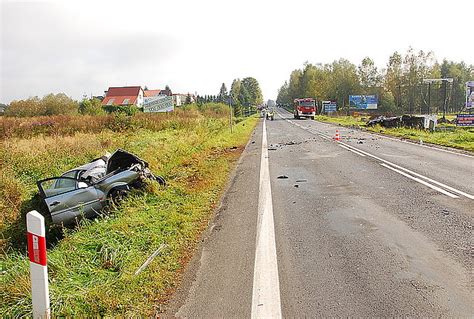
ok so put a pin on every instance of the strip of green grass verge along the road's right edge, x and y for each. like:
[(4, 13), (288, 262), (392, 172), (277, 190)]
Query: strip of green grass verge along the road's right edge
[(446, 134)]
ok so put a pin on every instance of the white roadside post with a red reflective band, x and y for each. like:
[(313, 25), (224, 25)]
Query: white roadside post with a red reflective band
[(38, 268)]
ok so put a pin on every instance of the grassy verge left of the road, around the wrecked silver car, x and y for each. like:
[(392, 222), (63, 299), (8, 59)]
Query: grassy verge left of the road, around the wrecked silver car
[(91, 269)]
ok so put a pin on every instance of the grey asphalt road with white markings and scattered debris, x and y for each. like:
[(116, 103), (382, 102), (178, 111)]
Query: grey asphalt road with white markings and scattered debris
[(365, 227)]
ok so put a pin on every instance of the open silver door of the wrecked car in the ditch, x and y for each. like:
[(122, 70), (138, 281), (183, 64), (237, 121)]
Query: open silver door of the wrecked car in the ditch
[(67, 198)]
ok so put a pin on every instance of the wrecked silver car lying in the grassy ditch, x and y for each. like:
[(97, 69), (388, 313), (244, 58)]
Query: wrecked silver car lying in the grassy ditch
[(86, 190)]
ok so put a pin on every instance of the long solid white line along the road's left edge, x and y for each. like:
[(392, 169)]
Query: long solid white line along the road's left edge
[(266, 285)]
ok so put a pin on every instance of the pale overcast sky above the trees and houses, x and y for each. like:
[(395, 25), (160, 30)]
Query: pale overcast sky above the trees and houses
[(83, 47)]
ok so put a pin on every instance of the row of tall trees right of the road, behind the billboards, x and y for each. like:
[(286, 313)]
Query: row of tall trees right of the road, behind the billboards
[(399, 86)]
